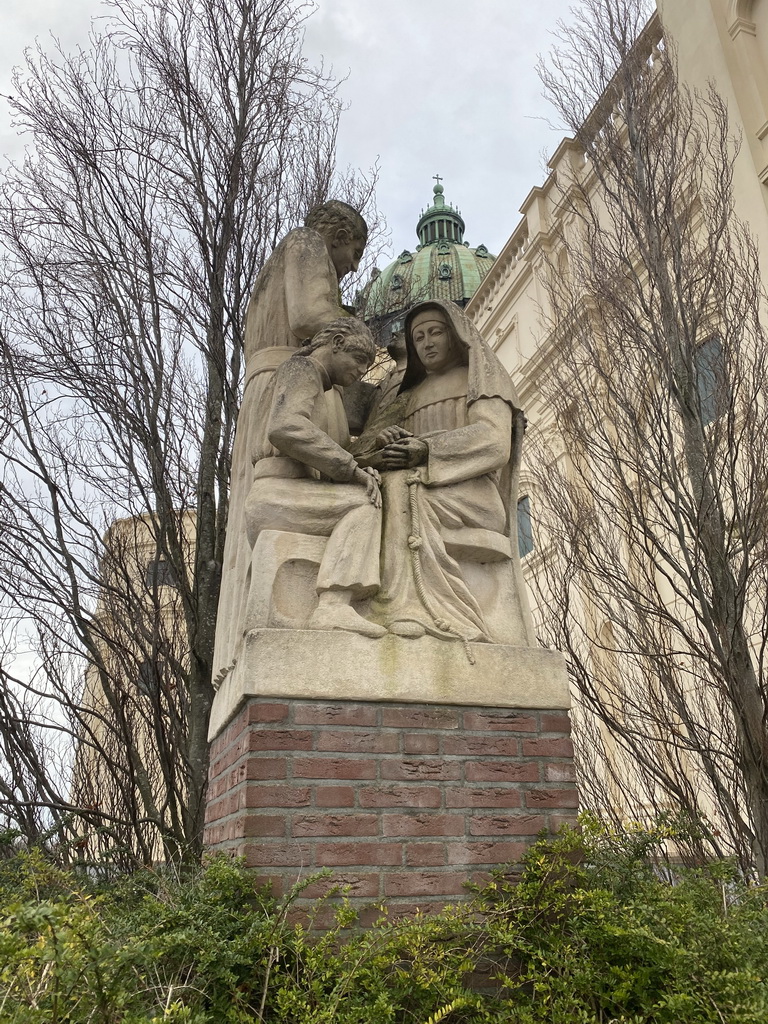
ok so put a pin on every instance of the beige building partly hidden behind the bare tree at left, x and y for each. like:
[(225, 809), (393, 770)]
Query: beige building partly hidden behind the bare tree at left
[(130, 714)]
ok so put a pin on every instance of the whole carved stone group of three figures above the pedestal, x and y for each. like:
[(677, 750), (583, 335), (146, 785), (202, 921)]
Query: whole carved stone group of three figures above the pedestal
[(410, 529)]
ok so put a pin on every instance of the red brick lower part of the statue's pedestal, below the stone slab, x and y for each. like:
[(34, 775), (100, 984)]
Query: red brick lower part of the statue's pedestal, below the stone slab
[(404, 802)]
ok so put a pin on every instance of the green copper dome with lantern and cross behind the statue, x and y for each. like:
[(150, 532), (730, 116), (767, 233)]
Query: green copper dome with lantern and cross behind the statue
[(443, 267)]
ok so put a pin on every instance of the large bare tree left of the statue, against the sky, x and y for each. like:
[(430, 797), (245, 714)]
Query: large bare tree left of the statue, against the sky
[(164, 163)]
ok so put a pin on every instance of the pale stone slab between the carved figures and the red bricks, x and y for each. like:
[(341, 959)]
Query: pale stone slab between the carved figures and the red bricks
[(340, 666)]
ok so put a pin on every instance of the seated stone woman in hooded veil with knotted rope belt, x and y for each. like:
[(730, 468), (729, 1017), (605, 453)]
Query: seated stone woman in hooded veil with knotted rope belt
[(448, 450)]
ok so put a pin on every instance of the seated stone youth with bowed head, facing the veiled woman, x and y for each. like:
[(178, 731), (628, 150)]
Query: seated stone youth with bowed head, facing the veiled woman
[(307, 482)]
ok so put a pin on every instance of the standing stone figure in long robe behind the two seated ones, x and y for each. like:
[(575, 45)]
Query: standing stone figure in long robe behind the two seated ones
[(295, 296)]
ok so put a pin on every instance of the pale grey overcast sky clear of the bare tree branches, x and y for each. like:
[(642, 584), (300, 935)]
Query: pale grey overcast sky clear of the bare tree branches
[(434, 88)]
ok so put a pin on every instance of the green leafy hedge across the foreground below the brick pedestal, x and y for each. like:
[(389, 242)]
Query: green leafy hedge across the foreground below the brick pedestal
[(589, 931)]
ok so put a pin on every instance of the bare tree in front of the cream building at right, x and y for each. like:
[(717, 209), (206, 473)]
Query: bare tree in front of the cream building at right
[(653, 497)]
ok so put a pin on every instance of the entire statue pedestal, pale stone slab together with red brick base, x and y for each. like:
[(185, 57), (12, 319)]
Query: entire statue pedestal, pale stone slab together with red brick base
[(396, 763)]
